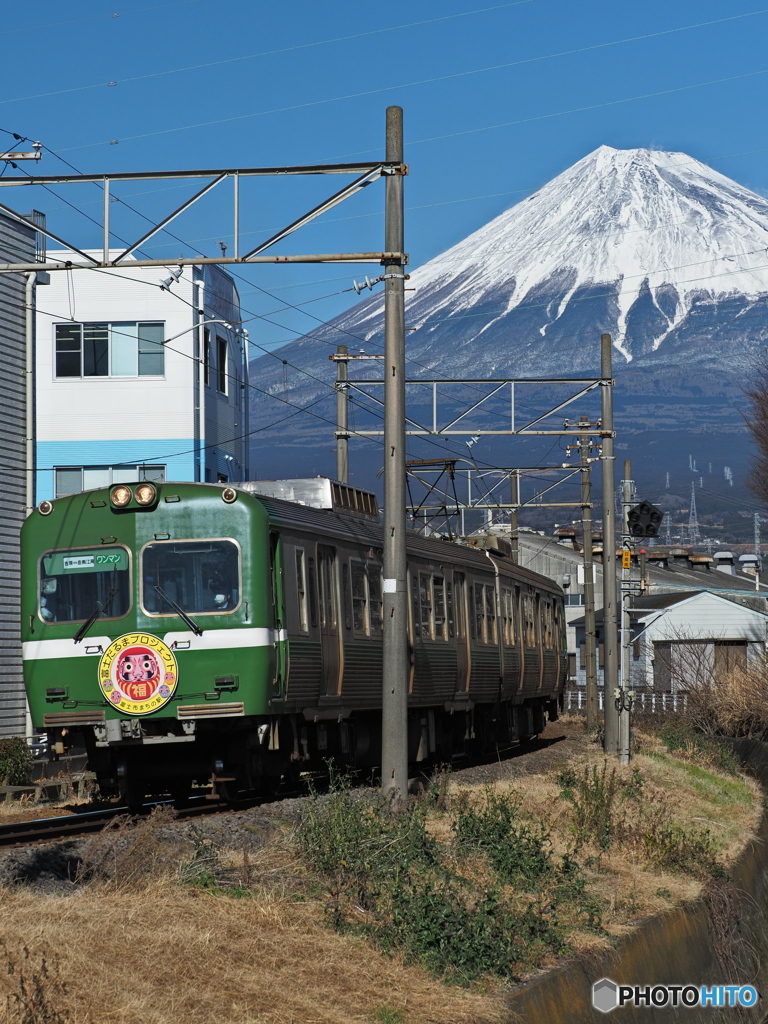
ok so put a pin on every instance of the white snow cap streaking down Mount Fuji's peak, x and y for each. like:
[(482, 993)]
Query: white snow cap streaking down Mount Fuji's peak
[(642, 222)]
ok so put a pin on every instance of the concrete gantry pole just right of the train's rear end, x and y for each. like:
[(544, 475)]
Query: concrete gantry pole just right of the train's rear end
[(611, 634)]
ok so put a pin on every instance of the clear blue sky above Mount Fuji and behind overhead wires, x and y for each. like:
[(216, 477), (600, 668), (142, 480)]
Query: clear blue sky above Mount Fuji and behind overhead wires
[(497, 100)]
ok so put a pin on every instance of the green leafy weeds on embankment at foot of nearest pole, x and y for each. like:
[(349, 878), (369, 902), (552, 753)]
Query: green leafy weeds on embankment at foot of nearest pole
[(389, 878)]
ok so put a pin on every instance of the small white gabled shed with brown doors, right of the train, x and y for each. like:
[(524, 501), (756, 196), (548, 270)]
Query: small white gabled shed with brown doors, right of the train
[(678, 641)]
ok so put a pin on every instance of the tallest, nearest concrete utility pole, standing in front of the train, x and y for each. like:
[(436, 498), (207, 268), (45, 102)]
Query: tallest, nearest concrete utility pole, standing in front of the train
[(396, 670)]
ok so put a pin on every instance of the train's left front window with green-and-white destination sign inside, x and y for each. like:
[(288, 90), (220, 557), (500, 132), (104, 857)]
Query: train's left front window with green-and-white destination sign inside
[(74, 585)]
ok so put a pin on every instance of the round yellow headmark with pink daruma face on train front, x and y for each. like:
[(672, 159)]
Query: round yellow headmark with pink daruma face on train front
[(138, 674)]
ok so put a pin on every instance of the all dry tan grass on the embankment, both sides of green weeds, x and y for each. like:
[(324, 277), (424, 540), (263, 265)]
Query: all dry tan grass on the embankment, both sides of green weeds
[(135, 946)]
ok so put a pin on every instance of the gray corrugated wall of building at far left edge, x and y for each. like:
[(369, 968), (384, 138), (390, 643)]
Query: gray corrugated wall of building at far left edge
[(17, 245)]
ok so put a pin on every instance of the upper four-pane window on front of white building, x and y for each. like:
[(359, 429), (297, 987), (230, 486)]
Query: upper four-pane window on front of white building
[(126, 349)]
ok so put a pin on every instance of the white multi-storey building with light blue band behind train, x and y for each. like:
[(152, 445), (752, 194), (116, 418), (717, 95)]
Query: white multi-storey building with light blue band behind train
[(140, 375)]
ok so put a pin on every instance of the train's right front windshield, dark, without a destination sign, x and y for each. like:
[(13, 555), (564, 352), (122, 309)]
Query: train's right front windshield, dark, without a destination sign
[(199, 577)]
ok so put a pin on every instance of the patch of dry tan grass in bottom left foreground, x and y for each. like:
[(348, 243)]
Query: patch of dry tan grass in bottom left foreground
[(169, 954)]
